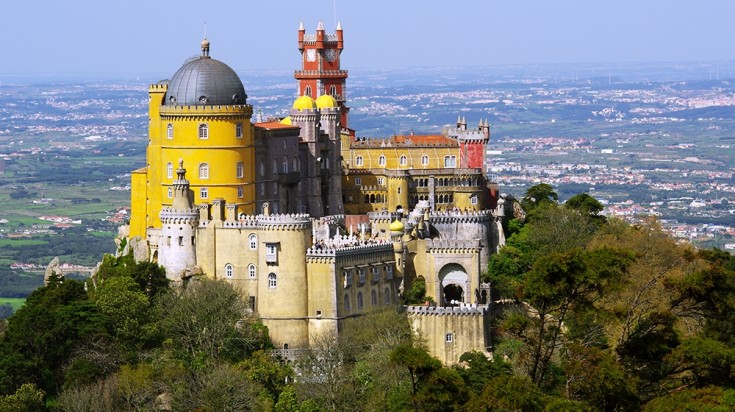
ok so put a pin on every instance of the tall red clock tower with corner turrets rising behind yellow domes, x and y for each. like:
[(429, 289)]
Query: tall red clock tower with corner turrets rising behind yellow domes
[(320, 73)]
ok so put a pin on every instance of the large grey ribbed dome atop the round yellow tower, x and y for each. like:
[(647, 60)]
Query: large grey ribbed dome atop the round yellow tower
[(205, 81)]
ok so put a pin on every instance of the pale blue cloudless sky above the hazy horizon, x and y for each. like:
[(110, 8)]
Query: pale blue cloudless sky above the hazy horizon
[(151, 38)]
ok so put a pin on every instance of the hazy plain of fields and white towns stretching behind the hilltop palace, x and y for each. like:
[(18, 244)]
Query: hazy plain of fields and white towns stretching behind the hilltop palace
[(656, 146)]
